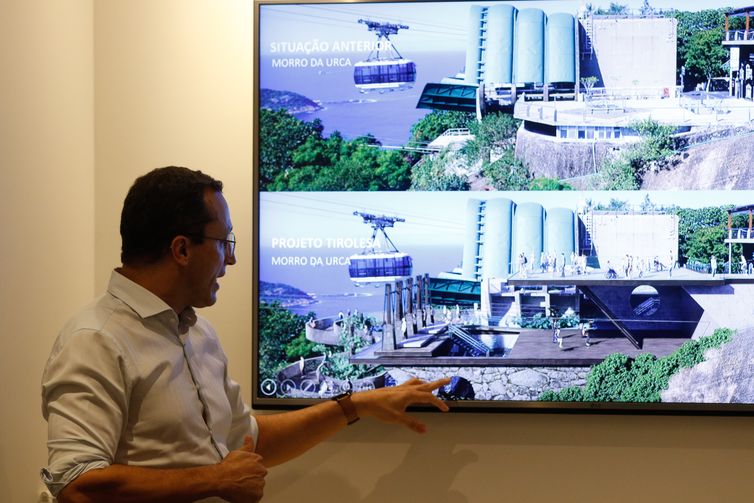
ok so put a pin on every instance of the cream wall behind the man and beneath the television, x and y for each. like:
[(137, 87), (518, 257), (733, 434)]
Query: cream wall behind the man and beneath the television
[(173, 85)]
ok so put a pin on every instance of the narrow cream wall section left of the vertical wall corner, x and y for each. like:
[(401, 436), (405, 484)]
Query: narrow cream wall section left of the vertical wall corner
[(47, 212)]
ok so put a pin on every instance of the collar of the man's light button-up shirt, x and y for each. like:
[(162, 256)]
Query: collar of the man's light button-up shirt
[(145, 303)]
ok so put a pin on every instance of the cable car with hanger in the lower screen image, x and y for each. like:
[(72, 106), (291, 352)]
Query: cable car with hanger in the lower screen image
[(373, 266)]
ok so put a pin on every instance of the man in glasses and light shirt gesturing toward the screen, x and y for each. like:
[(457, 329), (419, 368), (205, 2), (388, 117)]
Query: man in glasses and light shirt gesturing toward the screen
[(136, 390)]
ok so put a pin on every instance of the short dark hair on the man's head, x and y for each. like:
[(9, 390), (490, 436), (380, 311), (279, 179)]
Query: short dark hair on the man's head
[(164, 203)]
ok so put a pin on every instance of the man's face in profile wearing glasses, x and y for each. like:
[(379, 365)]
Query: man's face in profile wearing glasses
[(209, 258)]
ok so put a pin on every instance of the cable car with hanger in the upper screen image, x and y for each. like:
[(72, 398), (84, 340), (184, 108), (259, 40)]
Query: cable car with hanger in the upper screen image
[(385, 69)]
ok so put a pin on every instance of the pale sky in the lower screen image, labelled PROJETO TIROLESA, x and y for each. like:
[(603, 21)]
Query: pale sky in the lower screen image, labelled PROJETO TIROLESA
[(433, 218)]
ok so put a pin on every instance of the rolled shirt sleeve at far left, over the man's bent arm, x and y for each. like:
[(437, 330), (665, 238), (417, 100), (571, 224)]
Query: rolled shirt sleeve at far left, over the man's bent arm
[(84, 400)]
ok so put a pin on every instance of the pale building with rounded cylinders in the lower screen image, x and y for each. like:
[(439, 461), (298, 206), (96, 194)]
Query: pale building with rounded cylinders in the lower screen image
[(499, 231)]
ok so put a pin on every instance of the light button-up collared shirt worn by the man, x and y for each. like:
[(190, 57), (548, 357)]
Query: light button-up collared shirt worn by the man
[(130, 382)]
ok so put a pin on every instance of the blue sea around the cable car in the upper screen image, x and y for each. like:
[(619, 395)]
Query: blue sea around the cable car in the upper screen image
[(388, 116)]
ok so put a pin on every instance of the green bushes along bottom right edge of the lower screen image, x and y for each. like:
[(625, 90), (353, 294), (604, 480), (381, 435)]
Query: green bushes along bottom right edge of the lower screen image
[(619, 378)]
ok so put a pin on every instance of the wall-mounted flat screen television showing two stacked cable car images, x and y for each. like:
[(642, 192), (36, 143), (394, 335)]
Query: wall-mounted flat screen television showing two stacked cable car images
[(549, 202)]
